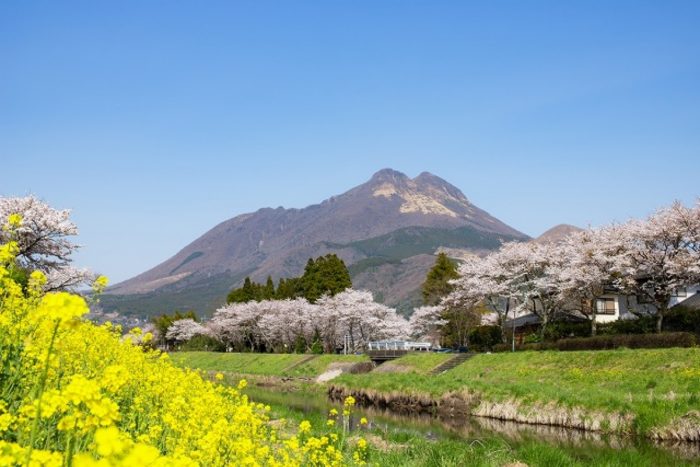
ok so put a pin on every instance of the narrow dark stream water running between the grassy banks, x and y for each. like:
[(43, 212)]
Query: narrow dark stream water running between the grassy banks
[(472, 429)]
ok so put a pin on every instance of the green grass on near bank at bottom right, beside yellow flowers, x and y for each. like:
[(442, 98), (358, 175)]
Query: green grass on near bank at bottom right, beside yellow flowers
[(408, 443)]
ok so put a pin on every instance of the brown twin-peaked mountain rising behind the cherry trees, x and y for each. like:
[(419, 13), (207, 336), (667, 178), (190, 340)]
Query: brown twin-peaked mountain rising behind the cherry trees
[(386, 230)]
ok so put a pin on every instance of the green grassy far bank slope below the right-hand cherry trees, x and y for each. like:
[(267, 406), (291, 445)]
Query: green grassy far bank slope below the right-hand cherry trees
[(654, 385)]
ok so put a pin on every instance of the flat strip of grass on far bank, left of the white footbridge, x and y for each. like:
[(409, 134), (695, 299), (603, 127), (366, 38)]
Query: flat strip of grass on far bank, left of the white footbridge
[(294, 365)]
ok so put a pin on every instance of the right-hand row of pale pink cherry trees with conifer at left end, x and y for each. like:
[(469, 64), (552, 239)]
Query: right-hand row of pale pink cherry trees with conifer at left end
[(645, 261)]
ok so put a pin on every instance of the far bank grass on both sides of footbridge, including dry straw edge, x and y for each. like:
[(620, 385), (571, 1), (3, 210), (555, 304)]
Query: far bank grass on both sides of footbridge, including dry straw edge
[(647, 392)]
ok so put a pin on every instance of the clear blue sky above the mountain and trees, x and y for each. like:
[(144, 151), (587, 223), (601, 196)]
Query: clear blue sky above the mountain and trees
[(154, 121)]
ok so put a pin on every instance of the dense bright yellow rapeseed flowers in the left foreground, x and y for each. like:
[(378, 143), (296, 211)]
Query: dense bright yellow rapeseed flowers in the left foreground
[(74, 393)]
